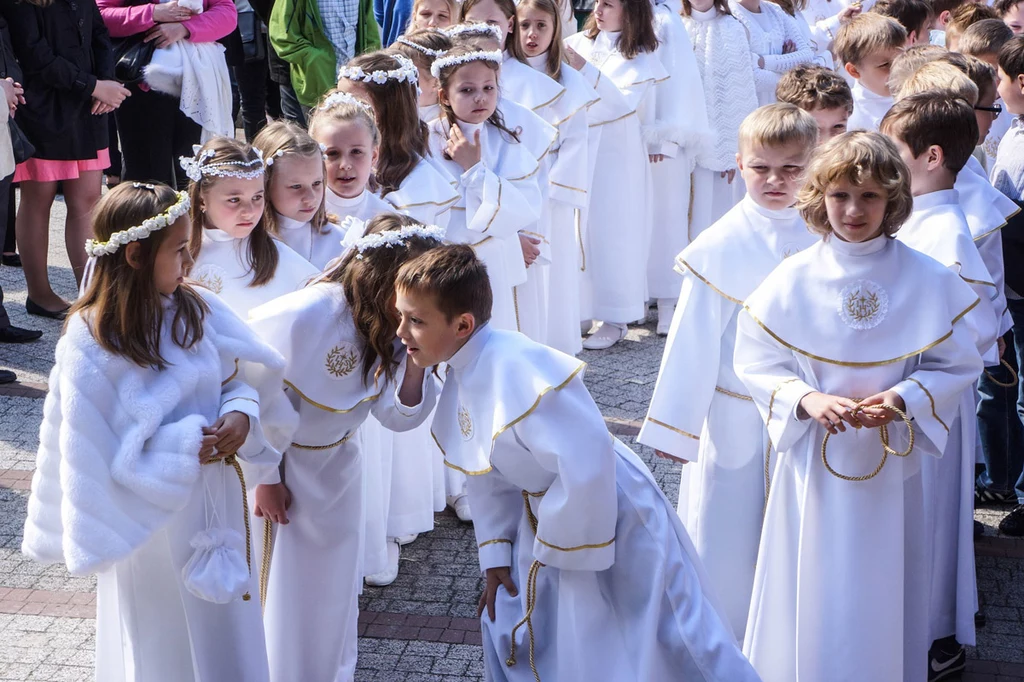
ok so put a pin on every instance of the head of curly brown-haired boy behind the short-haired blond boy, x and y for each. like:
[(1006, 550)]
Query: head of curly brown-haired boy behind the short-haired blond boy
[(823, 94)]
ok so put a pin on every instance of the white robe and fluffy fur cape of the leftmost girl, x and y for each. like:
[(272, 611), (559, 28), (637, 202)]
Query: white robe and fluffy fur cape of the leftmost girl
[(119, 492)]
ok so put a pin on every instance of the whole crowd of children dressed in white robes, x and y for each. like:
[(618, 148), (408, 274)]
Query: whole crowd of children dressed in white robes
[(373, 318)]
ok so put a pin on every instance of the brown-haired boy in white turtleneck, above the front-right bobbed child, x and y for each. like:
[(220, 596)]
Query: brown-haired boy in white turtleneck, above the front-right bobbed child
[(866, 48)]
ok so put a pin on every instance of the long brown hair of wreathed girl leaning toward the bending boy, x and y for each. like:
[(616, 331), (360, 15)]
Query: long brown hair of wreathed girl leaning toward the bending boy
[(368, 280)]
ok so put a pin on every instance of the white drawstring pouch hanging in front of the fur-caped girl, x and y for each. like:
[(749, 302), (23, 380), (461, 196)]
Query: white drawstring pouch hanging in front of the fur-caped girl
[(218, 571)]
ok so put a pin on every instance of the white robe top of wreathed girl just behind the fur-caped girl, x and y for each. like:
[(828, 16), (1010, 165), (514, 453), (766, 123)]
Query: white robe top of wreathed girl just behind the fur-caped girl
[(224, 268)]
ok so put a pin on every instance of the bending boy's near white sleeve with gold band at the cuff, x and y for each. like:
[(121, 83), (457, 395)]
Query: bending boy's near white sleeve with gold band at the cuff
[(577, 516)]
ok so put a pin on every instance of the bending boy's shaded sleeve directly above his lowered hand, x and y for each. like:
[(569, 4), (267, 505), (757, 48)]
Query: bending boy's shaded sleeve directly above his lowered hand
[(496, 522)]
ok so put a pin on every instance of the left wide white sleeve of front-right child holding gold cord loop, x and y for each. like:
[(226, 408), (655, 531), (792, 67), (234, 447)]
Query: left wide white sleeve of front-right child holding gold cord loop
[(773, 375)]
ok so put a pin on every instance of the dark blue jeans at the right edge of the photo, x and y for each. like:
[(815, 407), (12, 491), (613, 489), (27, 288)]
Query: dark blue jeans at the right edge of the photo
[(999, 423)]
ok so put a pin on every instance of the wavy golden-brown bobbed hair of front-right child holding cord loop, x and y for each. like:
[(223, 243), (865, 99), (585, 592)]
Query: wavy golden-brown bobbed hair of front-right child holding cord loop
[(857, 157)]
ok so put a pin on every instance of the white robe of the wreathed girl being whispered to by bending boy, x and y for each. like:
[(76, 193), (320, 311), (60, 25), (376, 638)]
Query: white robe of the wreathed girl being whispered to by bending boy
[(316, 571)]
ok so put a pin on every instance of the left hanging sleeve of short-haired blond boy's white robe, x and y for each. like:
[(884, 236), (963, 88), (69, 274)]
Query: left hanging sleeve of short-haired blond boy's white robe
[(690, 371)]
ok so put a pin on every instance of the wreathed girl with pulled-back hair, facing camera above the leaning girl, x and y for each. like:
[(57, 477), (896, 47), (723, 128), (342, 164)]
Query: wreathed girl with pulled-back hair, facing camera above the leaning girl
[(346, 131)]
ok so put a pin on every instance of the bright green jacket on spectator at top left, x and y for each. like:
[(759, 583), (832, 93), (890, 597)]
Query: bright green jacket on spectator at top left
[(298, 37)]
